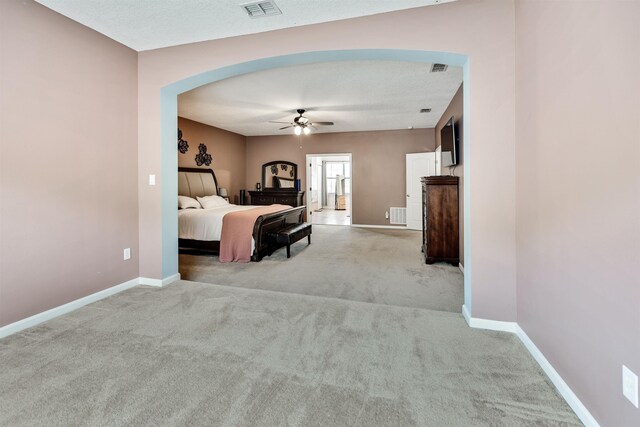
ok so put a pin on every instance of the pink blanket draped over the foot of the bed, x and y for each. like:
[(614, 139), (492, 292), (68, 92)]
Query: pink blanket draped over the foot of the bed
[(237, 231)]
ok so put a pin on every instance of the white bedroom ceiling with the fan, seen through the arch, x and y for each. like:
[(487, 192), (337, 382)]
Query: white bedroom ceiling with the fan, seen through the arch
[(355, 95)]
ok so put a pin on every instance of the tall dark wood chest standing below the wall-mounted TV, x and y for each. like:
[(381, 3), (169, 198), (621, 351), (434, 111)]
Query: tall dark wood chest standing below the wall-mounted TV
[(440, 223)]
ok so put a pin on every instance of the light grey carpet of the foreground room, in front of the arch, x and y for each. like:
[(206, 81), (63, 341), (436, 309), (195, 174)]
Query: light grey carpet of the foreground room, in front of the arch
[(200, 354)]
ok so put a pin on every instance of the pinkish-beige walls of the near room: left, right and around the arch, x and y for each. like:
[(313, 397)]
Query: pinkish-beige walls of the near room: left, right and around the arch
[(68, 112)]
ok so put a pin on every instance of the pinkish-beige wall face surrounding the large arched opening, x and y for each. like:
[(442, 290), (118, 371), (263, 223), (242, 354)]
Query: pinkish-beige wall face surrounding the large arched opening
[(484, 31)]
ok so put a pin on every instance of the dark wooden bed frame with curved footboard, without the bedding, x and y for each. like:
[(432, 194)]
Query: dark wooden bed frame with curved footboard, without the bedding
[(265, 226)]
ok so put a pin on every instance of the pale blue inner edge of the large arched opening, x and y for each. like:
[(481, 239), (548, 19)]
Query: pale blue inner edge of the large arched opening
[(169, 124)]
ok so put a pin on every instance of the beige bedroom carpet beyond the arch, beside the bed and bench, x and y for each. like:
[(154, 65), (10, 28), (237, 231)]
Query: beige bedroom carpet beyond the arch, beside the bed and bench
[(360, 264)]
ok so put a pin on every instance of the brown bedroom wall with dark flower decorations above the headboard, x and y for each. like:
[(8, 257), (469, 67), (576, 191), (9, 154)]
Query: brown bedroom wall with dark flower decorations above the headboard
[(228, 150)]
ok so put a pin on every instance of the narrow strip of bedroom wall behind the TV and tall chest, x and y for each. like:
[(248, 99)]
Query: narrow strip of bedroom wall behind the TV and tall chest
[(455, 109)]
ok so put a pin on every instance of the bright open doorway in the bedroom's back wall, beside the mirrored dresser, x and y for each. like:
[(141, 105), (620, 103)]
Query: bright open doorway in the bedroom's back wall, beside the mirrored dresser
[(329, 184)]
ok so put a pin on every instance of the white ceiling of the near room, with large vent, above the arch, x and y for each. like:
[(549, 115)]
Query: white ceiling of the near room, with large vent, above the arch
[(152, 24)]
